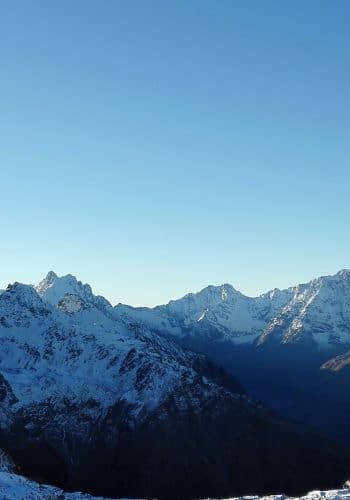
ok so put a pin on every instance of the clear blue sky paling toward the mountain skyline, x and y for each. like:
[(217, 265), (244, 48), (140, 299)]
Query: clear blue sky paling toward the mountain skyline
[(154, 148)]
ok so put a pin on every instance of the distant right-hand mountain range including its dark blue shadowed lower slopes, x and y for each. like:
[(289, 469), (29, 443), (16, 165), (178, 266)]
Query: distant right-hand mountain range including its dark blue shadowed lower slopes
[(289, 348)]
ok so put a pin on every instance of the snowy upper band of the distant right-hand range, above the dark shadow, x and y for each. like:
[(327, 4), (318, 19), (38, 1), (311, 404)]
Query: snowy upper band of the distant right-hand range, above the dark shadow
[(317, 313)]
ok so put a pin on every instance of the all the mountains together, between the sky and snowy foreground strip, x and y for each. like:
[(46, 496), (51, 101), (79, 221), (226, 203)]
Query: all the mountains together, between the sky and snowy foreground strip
[(125, 401)]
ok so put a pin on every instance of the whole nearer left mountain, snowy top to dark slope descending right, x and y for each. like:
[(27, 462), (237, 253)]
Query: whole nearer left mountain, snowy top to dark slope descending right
[(91, 400)]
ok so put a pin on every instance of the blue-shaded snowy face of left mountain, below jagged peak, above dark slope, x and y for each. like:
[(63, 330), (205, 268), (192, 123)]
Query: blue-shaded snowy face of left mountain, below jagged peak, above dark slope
[(44, 338)]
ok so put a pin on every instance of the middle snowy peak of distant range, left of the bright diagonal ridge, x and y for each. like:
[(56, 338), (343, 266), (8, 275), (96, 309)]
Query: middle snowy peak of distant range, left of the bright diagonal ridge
[(216, 311)]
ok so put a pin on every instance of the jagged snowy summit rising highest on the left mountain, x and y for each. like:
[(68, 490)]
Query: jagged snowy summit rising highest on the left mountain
[(53, 289)]
